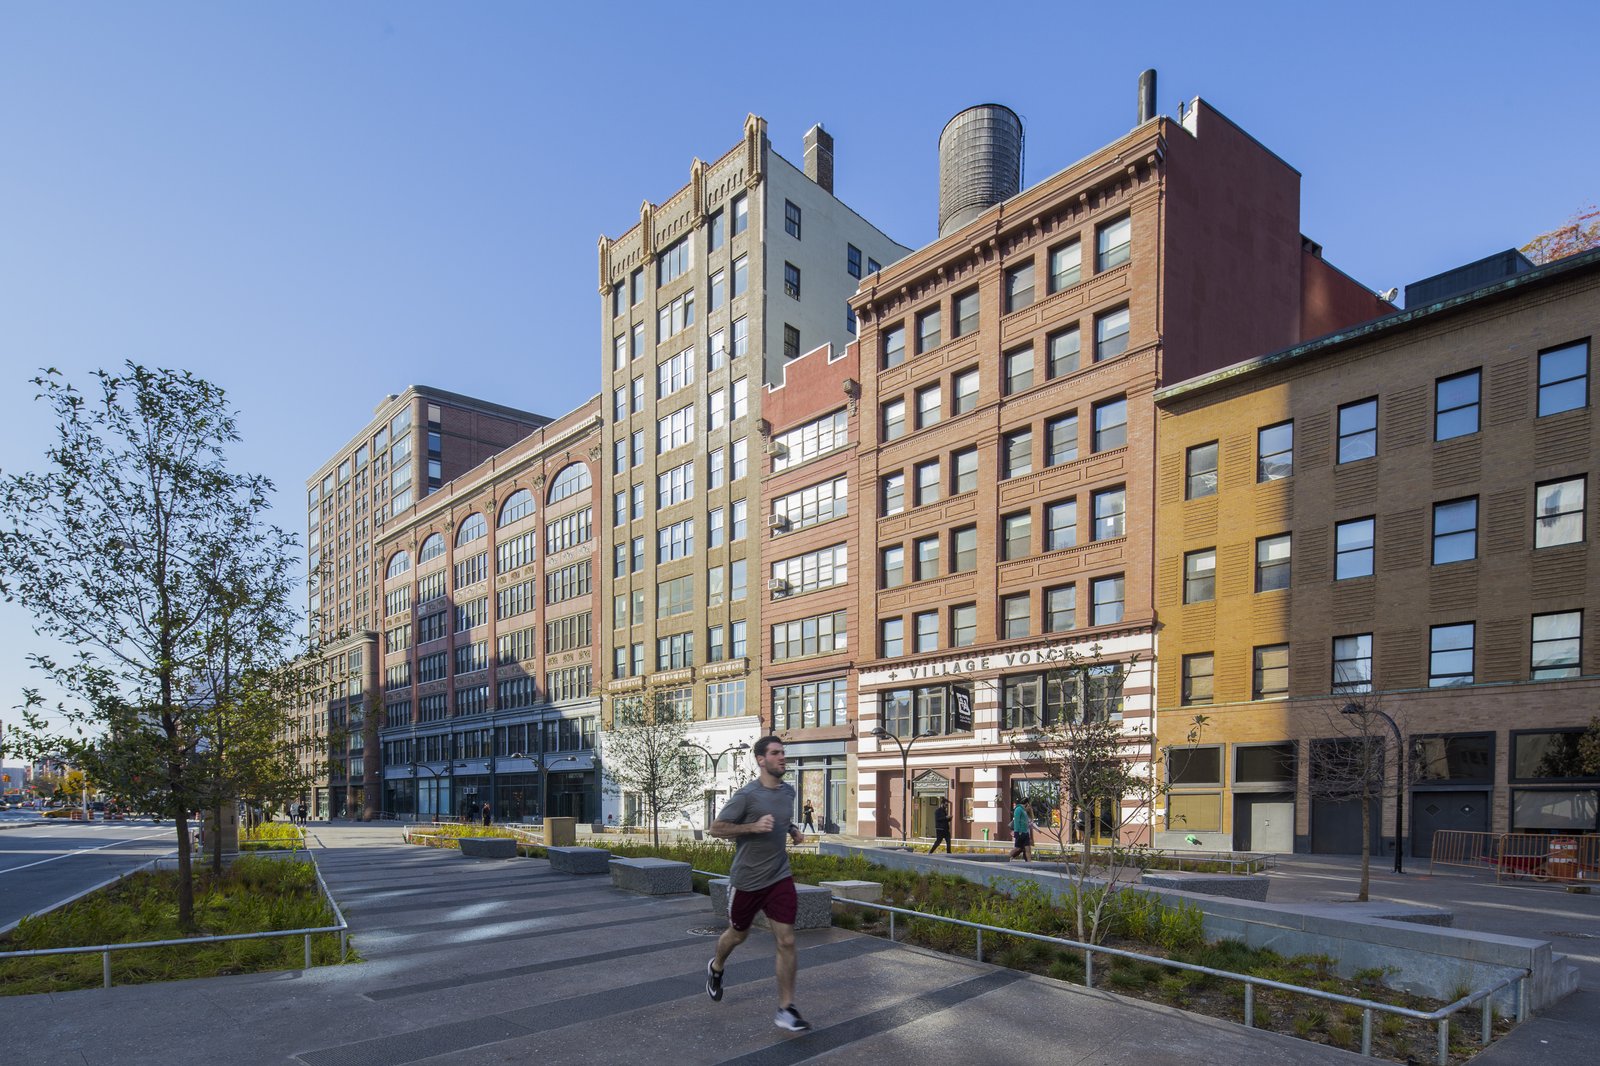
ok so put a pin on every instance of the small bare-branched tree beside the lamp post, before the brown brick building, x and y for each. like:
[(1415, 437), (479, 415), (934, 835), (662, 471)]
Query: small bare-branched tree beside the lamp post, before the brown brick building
[(1348, 766)]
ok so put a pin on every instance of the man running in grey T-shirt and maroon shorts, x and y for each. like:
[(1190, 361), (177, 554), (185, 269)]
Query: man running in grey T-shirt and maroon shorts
[(758, 819)]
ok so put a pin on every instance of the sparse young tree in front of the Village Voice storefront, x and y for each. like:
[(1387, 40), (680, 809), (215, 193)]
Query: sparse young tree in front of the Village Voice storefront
[(1094, 763)]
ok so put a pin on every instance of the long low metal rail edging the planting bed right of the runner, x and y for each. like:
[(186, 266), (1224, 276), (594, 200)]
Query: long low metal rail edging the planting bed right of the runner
[(1441, 1017)]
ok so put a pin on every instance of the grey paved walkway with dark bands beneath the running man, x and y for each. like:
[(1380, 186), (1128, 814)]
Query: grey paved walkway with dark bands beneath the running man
[(476, 963)]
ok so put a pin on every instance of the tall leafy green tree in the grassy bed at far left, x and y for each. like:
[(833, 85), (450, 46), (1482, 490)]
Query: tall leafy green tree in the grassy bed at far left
[(122, 550)]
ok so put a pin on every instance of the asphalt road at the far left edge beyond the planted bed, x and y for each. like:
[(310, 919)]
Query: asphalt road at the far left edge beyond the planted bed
[(49, 862)]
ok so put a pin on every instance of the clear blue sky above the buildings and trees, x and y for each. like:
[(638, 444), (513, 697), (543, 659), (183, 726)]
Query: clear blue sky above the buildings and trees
[(367, 196)]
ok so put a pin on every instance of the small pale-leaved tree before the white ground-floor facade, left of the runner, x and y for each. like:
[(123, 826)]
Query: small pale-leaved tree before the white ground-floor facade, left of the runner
[(646, 755)]
